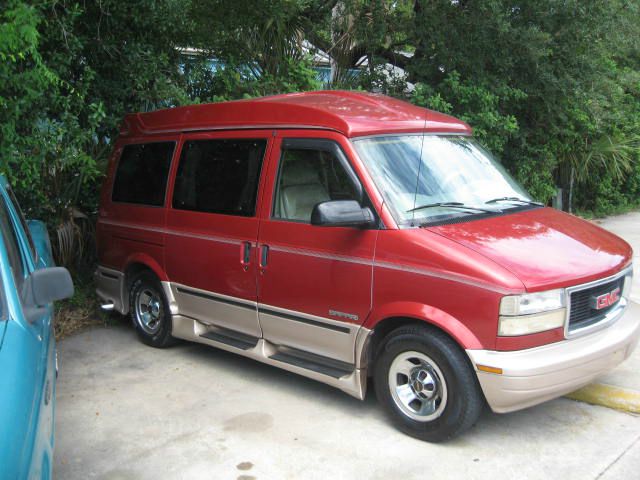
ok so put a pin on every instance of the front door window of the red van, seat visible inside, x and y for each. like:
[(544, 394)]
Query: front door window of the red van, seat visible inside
[(309, 176)]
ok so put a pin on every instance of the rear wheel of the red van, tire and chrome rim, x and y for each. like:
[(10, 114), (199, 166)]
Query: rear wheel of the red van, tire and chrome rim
[(149, 311)]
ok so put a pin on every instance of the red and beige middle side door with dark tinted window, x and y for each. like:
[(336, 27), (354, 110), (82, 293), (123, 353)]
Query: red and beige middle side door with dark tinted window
[(212, 233)]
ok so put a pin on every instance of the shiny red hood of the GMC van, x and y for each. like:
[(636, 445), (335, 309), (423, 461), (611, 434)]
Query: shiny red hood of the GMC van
[(543, 247)]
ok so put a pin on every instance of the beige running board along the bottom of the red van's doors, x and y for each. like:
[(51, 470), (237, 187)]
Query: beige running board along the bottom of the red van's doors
[(354, 383)]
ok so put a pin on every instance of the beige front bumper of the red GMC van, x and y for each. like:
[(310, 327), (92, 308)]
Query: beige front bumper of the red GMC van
[(539, 374)]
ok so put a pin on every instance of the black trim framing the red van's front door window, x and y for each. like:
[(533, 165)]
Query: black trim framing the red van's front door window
[(325, 145)]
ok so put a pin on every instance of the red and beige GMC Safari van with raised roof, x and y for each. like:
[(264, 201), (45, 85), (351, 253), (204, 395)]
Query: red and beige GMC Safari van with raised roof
[(345, 235)]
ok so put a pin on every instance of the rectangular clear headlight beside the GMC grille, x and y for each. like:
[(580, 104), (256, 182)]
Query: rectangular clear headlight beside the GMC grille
[(531, 313)]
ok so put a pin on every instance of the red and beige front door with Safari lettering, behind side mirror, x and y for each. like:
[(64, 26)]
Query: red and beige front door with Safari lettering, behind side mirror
[(314, 283)]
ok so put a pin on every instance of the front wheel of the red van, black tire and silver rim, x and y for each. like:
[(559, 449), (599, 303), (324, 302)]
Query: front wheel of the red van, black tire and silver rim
[(447, 397)]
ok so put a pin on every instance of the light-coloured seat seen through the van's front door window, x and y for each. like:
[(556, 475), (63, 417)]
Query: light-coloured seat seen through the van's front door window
[(301, 190)]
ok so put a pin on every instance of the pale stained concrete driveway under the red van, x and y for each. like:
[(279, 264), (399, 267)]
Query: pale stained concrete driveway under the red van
[(127, 411)]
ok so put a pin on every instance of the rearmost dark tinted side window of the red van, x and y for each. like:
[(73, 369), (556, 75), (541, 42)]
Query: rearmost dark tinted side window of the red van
[(142, 173)]
